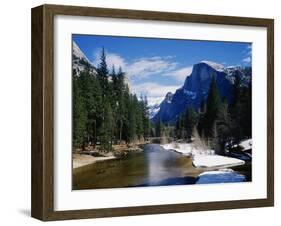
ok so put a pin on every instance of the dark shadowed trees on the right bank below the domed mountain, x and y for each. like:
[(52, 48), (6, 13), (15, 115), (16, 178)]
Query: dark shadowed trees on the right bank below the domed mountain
[(218, 120)]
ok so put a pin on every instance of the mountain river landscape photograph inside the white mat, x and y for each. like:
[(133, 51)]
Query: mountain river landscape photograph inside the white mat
[(159, 112)]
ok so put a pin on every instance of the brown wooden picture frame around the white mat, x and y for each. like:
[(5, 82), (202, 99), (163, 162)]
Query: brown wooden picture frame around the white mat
[(42, 204)]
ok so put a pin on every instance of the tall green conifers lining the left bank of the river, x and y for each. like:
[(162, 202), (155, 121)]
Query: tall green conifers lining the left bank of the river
[(104, 110)]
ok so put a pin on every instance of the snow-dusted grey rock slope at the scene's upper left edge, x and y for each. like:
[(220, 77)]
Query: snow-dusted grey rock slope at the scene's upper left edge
[(79, 61)]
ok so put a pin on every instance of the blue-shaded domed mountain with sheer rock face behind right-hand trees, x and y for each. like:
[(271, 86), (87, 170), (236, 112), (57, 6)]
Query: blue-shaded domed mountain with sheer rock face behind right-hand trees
[(196, 87)]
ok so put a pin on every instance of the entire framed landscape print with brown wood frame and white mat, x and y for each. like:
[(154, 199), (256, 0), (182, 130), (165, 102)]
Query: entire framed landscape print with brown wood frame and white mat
[(141, 112)]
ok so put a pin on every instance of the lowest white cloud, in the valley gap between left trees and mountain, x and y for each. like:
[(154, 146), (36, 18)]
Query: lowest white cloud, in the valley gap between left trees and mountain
[(155, 92)]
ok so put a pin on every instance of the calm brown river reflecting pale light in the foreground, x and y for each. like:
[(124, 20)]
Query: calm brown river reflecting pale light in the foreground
[(151, 167)]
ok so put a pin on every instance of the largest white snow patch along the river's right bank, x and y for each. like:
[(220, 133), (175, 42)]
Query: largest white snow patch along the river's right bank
[(203, 159)]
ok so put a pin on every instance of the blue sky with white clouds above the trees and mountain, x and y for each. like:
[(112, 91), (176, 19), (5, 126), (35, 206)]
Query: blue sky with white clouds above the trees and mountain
[(155, 66)]
